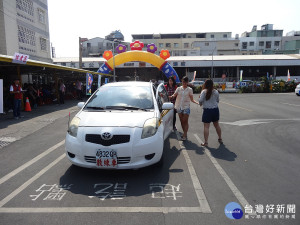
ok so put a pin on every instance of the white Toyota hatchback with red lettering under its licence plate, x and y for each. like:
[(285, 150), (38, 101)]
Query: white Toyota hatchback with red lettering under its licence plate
[(122, 126)]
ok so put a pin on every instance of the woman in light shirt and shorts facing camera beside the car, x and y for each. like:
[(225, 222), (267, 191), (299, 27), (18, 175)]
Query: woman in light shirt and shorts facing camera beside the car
[(184, 95)]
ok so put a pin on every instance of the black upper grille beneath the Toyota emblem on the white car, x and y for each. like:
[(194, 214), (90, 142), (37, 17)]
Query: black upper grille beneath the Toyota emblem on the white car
[(116, 139)]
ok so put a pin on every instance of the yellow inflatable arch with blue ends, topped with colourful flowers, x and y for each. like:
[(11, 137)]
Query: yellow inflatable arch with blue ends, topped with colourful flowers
[(136, 54)]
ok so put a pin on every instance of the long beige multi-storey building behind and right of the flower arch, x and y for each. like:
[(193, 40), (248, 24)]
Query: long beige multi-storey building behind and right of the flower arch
[(192, 44)]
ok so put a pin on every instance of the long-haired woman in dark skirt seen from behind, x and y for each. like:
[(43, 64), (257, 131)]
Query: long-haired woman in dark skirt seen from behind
[(209, 99)]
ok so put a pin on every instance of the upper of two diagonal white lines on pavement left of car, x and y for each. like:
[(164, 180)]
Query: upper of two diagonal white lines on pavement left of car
[(29, 163)]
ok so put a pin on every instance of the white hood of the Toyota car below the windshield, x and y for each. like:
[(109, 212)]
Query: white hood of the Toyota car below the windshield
[(114, 118)]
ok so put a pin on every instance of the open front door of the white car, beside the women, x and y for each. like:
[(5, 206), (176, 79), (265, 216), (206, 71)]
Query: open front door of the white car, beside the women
[(166, 116)]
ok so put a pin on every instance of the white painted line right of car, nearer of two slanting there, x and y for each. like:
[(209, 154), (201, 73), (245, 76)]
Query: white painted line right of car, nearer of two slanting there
[(205, 208)]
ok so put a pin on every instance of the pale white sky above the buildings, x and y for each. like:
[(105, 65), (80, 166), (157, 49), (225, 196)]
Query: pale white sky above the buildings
[(71, 19)]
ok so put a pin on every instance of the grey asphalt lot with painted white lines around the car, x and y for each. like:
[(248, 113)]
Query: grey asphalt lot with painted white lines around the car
[(257, 166)]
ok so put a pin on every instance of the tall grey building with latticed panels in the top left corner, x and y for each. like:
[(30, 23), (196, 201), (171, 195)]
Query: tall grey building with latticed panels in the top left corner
[(24, 28)]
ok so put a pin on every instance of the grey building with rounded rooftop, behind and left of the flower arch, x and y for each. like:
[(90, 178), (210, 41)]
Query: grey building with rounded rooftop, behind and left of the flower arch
[(95, 47)]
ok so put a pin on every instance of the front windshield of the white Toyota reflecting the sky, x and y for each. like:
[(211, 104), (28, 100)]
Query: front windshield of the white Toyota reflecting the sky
[(120, 97)]
